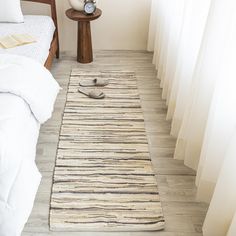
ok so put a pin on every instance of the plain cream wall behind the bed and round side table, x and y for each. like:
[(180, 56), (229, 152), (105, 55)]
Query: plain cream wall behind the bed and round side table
[(123, 25)]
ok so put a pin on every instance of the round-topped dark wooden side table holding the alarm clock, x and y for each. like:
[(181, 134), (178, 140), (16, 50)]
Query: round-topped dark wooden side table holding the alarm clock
[(84, 50)]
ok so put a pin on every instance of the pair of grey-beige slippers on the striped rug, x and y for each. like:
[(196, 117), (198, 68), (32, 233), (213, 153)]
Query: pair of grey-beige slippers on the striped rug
[(96, 94)]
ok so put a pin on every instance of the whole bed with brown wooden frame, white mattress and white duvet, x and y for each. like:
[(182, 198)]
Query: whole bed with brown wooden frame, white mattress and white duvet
[(27, 95)]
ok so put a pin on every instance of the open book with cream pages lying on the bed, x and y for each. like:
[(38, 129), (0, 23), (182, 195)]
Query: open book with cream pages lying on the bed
[(15, 40)]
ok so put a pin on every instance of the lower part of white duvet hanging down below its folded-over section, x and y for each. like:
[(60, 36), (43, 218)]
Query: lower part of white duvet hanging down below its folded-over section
[(19, 176)]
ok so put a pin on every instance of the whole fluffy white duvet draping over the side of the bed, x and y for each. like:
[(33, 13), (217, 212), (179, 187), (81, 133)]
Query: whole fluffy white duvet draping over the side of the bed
[(27, 95)]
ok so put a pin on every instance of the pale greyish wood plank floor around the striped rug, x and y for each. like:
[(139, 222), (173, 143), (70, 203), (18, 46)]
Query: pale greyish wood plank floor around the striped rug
[(184, 216)]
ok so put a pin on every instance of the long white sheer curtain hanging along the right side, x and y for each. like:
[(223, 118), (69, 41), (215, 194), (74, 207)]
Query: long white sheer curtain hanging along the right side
[(194, 44)]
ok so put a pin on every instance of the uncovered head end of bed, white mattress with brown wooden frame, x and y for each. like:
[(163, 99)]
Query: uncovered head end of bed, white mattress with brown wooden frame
[(43, 28)]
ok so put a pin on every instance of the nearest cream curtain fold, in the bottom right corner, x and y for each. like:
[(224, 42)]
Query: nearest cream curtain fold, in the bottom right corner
[(220, 215)]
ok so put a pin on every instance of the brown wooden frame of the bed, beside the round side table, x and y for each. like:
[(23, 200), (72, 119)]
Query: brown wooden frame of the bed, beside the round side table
[(54, 49)]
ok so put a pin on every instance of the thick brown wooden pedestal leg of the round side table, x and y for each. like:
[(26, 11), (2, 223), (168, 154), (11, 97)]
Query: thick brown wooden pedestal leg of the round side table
[(85, 51)]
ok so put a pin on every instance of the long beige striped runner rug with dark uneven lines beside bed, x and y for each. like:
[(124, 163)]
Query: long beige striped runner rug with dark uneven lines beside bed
[(103, 178)]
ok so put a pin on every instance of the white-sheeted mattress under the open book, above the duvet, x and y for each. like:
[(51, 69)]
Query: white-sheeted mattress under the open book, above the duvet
[(40, 27)]
